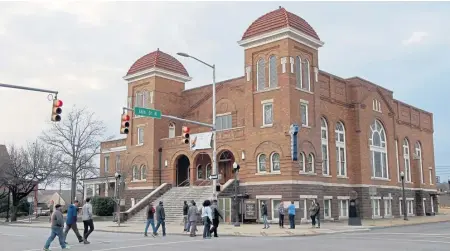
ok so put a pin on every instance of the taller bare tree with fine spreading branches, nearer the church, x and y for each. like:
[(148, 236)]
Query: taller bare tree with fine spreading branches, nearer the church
[(77, 139)]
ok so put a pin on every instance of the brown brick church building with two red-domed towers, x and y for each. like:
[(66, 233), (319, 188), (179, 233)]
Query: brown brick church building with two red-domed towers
[(353, 137)]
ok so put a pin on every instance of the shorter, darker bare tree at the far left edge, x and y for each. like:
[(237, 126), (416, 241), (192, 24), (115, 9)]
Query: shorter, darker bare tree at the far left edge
[(27, 168)]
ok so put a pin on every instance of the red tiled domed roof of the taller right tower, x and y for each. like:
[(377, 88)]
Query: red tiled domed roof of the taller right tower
[(278, 19)]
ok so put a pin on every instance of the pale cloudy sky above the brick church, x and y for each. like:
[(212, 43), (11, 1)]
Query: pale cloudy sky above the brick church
[(83, 50)]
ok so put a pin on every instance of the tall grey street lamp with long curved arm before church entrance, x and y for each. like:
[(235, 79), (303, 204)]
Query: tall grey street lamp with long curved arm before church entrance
[(214, 162)]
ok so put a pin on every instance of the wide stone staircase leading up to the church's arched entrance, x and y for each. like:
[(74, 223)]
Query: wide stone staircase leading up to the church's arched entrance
[(173, 203)]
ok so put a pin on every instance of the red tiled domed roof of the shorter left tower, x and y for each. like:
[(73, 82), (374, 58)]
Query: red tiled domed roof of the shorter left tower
[(158, 59)]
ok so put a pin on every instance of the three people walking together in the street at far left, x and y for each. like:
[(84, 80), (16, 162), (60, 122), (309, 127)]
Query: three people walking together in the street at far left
[(57, 224)]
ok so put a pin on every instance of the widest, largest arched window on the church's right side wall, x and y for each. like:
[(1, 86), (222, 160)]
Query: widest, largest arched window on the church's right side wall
[(378, 151)]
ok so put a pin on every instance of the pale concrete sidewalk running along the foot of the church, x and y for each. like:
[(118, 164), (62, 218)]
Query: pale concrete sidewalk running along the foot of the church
[(256, 229)]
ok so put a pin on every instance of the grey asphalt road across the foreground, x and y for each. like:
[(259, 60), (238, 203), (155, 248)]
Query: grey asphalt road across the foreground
[(429, 237)]
